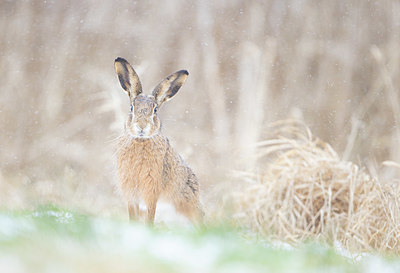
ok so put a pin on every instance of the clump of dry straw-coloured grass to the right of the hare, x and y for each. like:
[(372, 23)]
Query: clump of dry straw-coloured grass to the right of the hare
[(305, 191)]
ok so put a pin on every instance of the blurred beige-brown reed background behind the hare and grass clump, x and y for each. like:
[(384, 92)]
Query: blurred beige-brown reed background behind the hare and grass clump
[(335, 65)]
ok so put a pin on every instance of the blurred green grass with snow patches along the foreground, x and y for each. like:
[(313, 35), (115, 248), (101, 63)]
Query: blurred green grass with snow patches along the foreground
[(50, 239)]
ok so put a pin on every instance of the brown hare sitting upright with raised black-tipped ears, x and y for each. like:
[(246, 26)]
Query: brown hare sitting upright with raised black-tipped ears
[(148, 167)]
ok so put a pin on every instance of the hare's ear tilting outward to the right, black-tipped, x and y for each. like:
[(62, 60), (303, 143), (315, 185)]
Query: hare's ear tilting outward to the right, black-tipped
[(168, 87)]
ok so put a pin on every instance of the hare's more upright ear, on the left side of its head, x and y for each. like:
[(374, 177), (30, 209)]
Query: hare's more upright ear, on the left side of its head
[(128, 78)]
